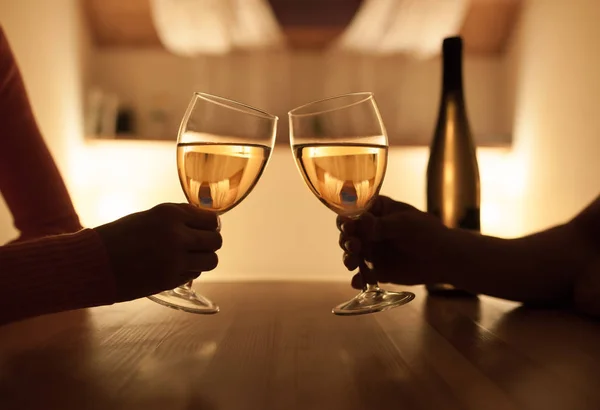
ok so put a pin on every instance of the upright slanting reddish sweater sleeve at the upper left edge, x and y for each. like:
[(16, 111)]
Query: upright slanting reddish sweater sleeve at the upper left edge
[(29, 179)]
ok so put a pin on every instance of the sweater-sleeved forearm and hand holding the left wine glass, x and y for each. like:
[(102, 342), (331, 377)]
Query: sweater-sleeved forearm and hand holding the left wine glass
[(135, 256)]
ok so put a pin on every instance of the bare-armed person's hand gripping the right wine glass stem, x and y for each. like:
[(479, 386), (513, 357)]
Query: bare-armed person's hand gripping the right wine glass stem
[(405, 245)]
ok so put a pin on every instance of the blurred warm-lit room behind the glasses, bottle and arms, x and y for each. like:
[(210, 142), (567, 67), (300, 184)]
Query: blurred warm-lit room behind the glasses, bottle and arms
[(109, 81)]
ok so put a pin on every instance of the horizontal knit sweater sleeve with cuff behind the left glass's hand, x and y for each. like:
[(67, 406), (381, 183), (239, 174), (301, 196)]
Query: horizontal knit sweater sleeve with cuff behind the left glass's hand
[(54, 274)]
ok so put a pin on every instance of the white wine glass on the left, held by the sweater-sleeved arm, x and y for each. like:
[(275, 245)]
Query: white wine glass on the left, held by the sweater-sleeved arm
[(223, 147)]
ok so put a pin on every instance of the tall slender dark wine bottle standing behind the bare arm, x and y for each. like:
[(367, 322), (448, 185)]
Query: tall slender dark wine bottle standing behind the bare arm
[(452, 172)]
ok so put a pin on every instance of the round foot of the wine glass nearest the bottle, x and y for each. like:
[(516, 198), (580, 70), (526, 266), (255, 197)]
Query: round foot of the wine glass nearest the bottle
[(372, 301)]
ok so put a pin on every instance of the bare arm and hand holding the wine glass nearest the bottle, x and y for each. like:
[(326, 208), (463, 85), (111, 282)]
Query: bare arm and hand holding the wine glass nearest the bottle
[(550, 267)]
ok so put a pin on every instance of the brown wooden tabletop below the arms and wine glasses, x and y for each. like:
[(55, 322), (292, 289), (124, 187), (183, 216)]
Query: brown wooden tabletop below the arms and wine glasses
[(277, 346)]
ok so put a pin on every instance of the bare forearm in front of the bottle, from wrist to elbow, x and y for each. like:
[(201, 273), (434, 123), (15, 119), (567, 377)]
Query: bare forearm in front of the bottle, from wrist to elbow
[(538, 269)]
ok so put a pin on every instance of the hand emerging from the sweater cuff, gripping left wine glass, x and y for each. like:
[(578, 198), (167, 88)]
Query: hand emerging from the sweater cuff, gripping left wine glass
[(161, 248)]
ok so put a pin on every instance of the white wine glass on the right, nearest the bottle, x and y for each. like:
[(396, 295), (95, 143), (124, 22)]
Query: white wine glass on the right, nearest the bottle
[(340, 145)]
